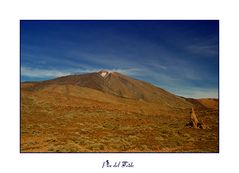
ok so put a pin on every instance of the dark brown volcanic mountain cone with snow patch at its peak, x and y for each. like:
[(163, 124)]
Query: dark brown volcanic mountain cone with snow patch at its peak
[(119, 85)]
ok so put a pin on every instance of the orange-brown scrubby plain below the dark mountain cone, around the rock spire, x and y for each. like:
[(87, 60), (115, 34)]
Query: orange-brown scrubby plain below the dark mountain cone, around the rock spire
[(51, 123)]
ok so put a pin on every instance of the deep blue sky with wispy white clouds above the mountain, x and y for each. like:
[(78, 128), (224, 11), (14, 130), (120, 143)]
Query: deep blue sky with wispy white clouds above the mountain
[(179, 56)]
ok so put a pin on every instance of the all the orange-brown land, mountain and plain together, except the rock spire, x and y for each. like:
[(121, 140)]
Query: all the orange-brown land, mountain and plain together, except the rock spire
[(110, 112)]
